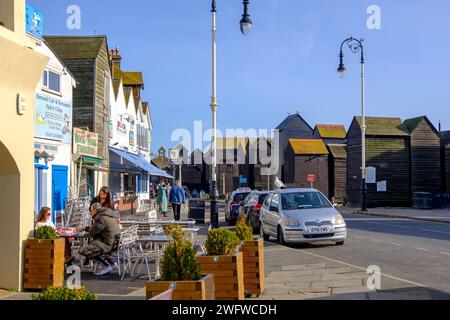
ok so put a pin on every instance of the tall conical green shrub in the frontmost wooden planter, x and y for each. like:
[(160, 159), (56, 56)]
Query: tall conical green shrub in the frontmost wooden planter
[(179, 262)]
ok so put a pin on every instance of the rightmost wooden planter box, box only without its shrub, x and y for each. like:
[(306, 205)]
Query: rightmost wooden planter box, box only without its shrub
[(253, 252)]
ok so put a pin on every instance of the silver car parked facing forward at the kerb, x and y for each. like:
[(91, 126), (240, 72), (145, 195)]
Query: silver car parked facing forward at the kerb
[(301, 215)]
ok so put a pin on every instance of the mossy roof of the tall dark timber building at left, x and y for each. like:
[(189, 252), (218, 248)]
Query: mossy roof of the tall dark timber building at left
[(83, 47)]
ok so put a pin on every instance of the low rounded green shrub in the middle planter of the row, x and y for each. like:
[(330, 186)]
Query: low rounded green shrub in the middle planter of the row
[(221, 242)]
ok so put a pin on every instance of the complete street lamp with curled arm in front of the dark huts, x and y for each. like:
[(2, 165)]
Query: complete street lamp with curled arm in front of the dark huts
[(356, 46)]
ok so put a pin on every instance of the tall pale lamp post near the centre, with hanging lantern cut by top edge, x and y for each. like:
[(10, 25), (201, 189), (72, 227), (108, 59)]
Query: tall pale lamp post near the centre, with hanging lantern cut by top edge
[(245, 24)]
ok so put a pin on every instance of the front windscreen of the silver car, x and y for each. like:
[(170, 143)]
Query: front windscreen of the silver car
[(304, 200)]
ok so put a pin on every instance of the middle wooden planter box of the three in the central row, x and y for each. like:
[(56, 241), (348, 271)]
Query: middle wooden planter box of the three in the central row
[(228, 274)]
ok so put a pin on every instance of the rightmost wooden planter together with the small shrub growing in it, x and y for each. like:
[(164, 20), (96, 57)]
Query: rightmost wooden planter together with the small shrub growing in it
[(253, 256)]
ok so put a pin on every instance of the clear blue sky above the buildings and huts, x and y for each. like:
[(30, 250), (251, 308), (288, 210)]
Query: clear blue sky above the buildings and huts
[(287, 64)]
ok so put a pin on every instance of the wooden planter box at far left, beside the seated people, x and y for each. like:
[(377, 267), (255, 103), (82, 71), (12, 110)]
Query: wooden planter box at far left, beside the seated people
[(44, 264)]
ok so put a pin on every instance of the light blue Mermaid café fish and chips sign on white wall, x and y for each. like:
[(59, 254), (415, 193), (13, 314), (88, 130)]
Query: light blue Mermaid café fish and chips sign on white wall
[(53, 118)]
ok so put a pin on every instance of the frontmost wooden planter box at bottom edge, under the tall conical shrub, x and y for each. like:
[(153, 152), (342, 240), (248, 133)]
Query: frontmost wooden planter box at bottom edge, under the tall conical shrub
[(202, 289)]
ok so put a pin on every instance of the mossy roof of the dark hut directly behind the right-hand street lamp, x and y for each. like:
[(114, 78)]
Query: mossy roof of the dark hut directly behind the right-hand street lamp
[(379, 126)]
